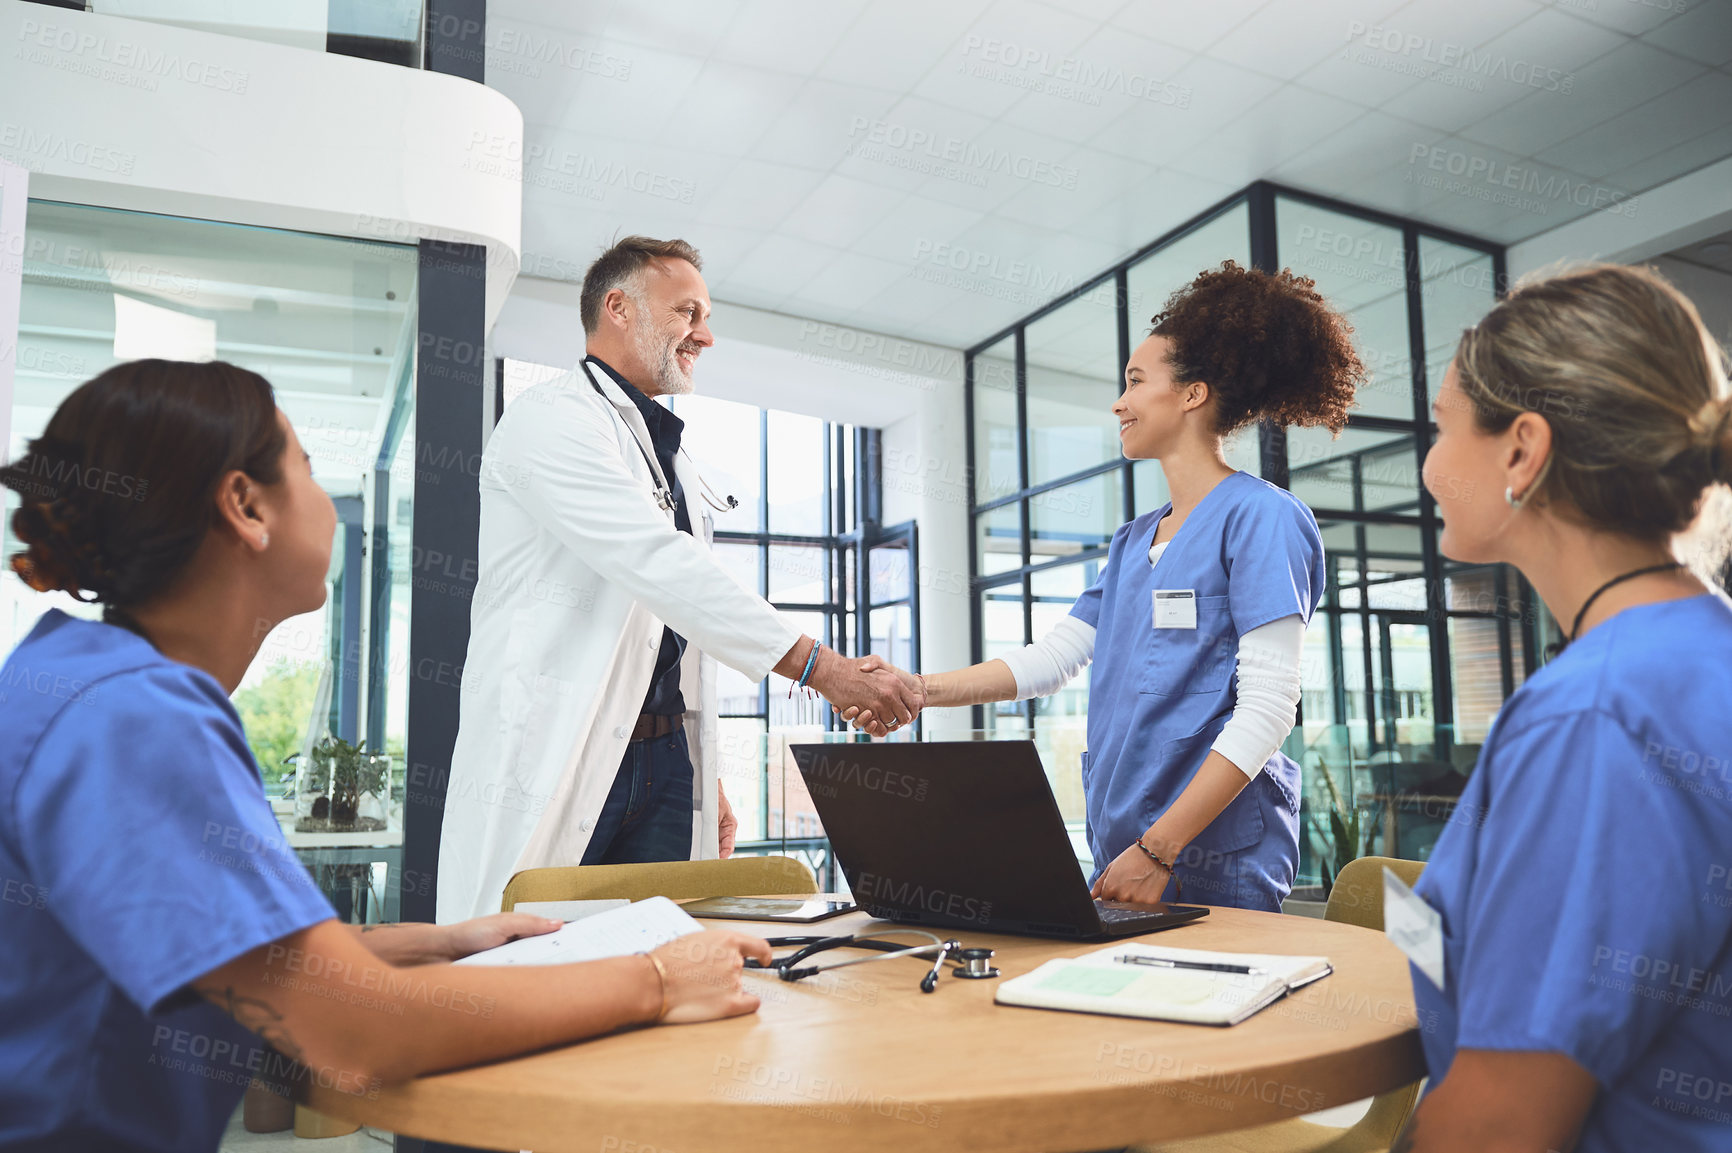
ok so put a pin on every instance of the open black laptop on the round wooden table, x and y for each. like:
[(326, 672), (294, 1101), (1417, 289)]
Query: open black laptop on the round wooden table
[(966, 835)]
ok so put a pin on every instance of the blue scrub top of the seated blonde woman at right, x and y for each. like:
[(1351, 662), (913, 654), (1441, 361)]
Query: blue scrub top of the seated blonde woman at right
[(1584, 880)]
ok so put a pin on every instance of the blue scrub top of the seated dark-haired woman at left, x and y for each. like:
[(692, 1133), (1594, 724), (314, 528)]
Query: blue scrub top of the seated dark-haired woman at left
[(138, 853)]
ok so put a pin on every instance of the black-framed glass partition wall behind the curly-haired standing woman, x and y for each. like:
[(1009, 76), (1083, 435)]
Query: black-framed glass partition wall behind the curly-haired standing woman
[(1409, 655)]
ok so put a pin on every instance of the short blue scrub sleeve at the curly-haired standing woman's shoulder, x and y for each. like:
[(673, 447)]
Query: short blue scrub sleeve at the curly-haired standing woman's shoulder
[(1274, 558)]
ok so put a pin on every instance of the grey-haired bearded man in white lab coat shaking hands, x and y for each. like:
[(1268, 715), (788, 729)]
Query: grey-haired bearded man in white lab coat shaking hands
[(588, 730)]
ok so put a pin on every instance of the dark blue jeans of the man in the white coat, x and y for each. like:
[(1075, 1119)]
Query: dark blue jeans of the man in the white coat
[(649, 809)]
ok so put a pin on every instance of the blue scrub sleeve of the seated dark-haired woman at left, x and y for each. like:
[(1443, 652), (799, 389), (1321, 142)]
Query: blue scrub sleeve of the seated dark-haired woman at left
[(145, 818)]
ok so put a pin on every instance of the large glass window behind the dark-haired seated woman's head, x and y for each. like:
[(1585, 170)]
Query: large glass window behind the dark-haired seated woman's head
[(332, 326)]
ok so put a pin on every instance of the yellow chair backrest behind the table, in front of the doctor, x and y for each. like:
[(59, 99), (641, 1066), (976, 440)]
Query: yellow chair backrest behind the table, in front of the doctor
[(737, 877)]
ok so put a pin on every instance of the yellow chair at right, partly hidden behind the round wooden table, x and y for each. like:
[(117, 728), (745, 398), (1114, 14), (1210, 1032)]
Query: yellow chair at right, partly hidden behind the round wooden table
[(1357, 899)]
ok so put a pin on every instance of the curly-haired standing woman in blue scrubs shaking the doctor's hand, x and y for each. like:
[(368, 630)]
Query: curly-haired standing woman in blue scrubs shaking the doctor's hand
[(1187, 790)]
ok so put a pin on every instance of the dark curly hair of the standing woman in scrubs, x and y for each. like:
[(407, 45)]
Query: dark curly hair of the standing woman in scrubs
[(1269, 347)]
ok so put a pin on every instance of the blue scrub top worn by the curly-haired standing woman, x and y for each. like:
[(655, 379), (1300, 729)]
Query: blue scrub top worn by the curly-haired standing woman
[(1161, 697)]
